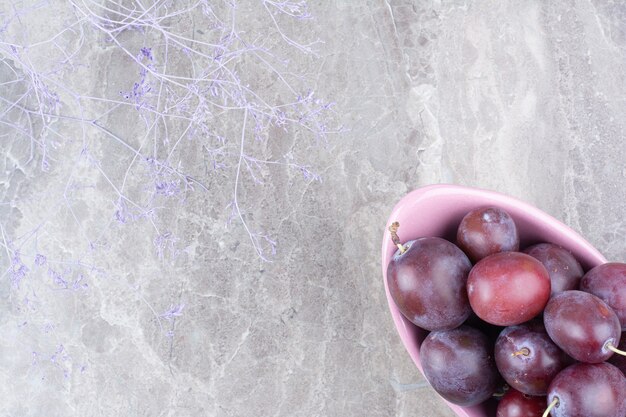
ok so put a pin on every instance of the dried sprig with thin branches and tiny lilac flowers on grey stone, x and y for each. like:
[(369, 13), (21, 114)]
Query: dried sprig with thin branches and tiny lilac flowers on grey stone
[(182, 90)]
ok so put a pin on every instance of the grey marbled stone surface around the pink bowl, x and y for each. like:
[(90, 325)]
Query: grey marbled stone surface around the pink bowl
[(165, 308)]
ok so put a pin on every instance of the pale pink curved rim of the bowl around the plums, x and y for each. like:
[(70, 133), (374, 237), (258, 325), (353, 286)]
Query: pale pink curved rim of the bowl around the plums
[(403, 326)]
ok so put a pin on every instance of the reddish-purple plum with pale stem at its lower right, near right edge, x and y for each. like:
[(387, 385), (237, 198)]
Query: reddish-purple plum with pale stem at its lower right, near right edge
[(582, 325)]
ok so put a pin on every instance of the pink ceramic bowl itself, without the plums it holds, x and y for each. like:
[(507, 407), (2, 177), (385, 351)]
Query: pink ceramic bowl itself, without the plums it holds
[(437, 210)]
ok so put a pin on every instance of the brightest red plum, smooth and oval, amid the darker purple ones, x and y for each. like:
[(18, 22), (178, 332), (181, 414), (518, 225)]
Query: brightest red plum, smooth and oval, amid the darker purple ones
[(508, 288)]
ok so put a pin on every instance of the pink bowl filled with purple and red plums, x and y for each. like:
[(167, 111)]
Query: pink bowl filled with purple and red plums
[(505, 310)]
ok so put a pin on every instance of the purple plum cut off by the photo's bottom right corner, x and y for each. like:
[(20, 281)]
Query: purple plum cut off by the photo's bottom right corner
[(588, 390)]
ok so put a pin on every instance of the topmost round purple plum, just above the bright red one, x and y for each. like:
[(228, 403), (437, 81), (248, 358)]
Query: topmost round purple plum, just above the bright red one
[(486, 231)]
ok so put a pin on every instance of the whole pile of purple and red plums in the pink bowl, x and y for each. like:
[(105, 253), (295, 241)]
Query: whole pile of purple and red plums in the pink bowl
[(530, 327)]
